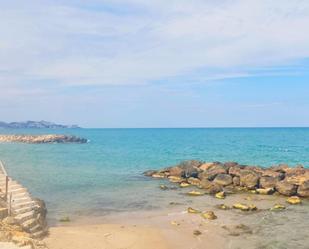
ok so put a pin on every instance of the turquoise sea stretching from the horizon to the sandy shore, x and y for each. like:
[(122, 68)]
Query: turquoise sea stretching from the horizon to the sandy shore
[(105, 175)]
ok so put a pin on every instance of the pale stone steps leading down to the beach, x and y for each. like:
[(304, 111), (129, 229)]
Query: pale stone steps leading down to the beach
[(21, 205)]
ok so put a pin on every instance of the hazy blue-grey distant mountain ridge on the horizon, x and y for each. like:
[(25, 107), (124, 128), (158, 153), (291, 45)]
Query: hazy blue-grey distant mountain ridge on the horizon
[(36, 124)]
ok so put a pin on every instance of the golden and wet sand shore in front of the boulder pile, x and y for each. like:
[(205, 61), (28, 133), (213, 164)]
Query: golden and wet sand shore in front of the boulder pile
[(173, 227)]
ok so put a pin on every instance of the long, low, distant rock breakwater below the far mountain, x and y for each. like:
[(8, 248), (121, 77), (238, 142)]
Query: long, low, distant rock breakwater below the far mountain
[(41, 139)]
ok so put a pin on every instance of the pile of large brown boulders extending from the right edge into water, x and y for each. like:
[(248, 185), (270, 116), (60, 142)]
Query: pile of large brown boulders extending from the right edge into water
[(216, 177)]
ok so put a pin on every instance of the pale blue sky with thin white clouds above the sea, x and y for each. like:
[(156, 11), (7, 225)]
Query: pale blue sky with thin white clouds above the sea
[(143, 63)]
